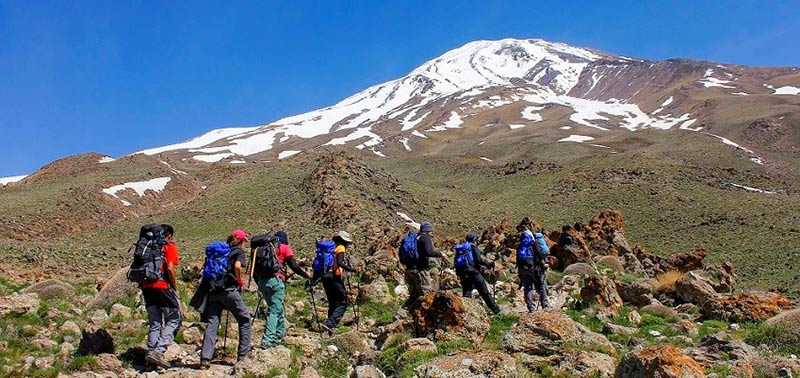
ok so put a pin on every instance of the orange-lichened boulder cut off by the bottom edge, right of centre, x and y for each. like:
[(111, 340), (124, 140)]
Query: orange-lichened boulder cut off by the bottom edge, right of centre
[(660, 361)]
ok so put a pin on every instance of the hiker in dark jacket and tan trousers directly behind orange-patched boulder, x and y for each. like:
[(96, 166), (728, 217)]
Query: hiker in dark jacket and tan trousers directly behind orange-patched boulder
[(417, 275)]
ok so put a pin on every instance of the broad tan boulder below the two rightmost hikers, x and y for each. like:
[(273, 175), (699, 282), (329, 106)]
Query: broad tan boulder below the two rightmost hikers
[(548, 332)]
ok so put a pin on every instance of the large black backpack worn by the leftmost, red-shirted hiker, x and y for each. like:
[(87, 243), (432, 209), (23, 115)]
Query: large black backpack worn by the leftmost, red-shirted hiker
[(148, 258)]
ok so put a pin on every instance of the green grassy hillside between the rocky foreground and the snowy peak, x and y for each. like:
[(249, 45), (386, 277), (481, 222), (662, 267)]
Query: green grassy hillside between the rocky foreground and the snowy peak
[(674, 190)]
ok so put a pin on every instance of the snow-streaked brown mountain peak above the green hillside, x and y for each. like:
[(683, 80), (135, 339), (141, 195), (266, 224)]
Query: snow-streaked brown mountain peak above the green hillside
[(523, 81)]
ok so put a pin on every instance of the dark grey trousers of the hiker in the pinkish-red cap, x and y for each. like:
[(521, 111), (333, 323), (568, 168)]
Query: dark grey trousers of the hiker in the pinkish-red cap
[(232, 301)]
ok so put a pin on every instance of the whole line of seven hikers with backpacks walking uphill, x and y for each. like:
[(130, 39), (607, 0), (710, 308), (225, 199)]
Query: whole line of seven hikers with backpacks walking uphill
[(226, 270)]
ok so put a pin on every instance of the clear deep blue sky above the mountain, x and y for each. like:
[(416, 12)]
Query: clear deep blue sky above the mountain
[(116, 77)]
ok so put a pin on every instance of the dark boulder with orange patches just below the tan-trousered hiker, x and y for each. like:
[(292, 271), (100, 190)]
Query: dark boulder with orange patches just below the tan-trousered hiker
[(448, 316)]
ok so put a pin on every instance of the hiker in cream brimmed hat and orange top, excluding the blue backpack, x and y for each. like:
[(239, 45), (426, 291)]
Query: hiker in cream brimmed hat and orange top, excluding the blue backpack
[(333, 283)]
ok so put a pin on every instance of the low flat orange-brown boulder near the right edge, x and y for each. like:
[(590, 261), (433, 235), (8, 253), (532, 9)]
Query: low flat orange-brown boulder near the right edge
[(754, 306)]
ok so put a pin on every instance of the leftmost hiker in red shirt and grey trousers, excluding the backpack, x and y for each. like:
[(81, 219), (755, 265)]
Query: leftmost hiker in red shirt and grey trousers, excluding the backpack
[(163, 304)]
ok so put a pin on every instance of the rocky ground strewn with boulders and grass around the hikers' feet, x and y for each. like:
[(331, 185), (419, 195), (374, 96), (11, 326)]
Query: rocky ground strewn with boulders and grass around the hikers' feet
[(618, 311)]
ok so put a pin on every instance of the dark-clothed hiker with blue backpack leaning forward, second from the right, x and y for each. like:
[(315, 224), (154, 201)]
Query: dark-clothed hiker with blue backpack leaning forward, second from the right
[(467, 261)]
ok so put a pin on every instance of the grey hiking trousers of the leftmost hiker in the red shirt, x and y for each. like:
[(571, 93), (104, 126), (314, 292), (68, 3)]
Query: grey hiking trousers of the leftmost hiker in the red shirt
[(164, 318)]
